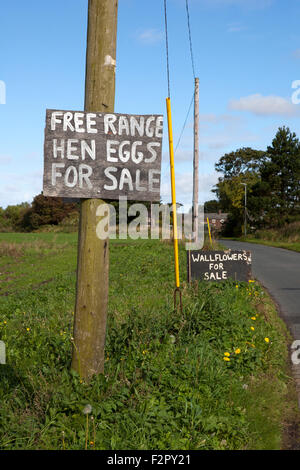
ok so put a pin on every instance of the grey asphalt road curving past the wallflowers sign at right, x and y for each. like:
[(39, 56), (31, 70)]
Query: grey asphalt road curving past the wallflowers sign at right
[(279, 271)]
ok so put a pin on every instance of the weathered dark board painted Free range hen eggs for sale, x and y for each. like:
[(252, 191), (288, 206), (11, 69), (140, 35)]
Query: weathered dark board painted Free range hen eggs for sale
[(102, 155)]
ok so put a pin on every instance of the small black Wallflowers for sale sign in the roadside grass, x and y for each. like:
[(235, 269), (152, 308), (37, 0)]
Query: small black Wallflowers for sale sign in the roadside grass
[(219, 265)]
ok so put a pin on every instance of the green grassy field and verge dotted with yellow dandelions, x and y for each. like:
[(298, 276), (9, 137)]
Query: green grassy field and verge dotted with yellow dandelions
[(214, 376)]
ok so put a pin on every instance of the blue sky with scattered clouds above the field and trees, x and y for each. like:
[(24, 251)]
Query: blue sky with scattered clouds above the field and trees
[(246, 55)]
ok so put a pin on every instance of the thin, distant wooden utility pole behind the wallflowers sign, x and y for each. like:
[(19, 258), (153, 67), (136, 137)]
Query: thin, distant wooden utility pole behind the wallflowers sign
[(196, 162)]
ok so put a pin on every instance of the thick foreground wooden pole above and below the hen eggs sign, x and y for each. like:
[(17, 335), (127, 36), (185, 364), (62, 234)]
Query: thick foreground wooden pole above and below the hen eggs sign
[(93, 253)]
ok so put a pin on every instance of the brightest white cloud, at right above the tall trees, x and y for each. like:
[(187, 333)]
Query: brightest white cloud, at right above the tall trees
[(263, 105)]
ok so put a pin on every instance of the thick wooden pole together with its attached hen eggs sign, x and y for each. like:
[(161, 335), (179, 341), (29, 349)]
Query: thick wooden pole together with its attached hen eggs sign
[(94, 155)]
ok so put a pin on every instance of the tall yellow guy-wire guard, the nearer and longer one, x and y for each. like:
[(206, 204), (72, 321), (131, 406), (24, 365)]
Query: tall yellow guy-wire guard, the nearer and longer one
[(175, 232)]
